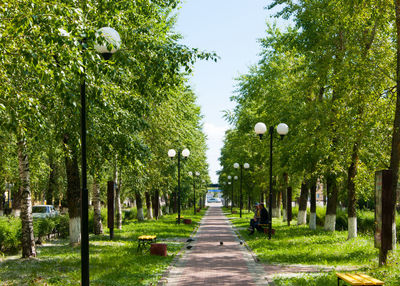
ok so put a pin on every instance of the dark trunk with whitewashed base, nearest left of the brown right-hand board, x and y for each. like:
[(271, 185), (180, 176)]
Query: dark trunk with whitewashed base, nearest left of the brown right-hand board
[(351, 188)]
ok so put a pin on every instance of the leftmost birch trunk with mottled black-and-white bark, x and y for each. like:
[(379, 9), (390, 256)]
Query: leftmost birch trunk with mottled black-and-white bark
[(27, 236)]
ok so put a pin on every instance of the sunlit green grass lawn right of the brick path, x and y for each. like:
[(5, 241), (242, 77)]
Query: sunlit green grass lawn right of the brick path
[(300, 245)]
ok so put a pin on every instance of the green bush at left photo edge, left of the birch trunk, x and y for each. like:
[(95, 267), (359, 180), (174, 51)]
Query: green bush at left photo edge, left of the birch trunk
[(10, 234)]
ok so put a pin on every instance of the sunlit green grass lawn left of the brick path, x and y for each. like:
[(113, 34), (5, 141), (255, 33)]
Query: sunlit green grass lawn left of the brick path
[(111, 262)]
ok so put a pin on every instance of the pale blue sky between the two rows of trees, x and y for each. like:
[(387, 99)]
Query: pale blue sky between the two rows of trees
[(230, 28)]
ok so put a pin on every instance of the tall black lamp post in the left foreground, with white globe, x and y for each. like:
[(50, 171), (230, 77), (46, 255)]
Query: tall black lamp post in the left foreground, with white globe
[(111, 39)]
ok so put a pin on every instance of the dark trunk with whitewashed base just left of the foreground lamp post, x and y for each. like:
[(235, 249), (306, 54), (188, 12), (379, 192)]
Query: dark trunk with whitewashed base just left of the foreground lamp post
[(73, 194)]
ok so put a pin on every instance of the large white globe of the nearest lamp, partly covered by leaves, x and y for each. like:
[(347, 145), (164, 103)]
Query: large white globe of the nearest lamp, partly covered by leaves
[(109, 41)]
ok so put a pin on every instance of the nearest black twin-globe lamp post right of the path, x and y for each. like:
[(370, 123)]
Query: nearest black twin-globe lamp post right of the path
[(282, 129)]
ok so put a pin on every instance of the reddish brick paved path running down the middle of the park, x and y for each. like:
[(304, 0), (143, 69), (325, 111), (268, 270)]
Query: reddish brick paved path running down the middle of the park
[(209, 263)]
